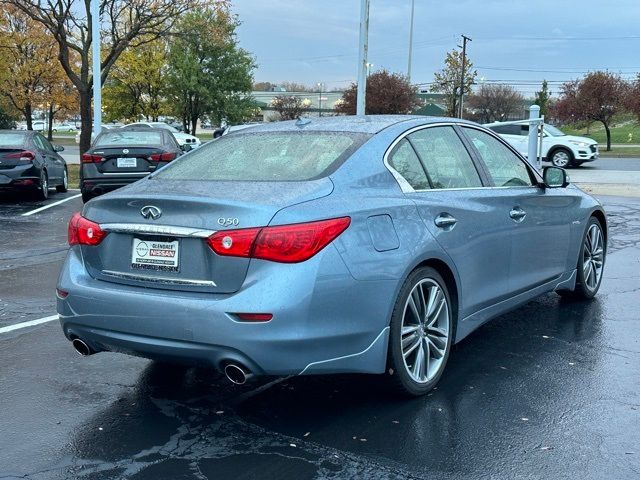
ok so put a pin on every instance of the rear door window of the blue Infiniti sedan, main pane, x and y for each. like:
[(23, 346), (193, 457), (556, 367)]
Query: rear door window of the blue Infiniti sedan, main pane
[(445, 157)]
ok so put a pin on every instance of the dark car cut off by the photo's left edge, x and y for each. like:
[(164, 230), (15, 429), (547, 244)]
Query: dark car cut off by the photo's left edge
[(29, 162)]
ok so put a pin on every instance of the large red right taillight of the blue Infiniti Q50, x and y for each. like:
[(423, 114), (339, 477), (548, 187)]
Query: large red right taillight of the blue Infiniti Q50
[(283, 243)]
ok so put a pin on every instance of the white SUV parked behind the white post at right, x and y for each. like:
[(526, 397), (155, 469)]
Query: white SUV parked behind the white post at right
[(558, 148)]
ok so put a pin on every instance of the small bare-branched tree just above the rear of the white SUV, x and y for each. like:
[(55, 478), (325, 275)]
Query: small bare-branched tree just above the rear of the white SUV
[(494, 102)]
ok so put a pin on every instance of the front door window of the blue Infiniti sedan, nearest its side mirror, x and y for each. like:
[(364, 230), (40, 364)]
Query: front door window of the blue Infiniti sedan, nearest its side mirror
[(504, 166)]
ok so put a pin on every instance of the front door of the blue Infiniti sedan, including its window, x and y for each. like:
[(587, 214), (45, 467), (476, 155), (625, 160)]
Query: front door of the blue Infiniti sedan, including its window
[(539, 217)]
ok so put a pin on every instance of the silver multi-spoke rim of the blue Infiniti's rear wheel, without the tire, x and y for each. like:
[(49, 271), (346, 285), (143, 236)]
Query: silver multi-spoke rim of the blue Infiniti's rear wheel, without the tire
[(425, 331)]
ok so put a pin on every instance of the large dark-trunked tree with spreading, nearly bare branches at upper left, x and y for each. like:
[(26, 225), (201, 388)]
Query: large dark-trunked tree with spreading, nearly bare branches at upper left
[(125, 24)]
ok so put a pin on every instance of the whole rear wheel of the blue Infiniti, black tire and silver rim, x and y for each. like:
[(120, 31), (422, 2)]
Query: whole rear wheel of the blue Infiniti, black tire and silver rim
[(422, 327)]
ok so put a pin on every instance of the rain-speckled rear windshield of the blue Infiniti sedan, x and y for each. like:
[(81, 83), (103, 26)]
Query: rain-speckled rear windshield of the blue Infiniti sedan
[(266, 156)]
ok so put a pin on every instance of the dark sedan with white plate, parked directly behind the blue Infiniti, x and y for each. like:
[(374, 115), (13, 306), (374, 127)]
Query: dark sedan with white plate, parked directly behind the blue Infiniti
[(122, 156)]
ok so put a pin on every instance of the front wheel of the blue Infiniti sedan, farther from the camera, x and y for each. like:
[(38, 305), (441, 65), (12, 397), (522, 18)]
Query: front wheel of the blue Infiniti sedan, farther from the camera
[(590, 265)]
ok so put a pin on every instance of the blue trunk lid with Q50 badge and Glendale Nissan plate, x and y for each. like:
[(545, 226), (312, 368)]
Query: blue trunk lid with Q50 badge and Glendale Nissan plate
[(189, 211)]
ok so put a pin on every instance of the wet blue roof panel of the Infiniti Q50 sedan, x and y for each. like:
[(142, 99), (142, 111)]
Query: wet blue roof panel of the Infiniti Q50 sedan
[(368, 124)]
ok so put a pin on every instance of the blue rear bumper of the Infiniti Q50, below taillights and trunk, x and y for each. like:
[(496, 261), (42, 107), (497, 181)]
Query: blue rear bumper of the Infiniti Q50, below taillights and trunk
[(324, 321)]
